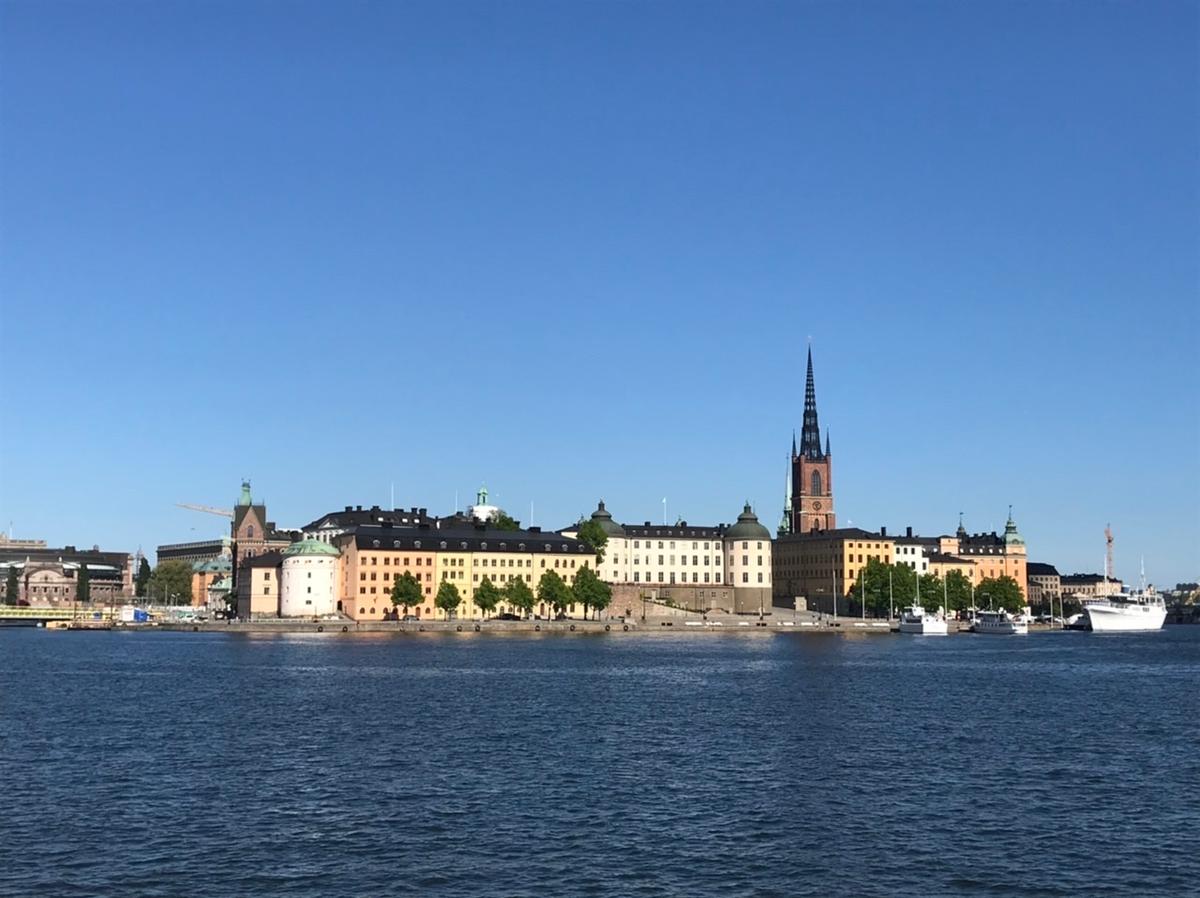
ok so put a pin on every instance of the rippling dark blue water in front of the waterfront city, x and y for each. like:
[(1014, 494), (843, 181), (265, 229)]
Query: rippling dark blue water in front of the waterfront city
[(154, 764)]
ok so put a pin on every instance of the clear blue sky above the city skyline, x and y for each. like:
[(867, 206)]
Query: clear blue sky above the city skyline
[(577, 250)]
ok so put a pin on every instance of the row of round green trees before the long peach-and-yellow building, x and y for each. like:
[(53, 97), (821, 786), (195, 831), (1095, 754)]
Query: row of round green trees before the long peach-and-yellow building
[(589, 590)]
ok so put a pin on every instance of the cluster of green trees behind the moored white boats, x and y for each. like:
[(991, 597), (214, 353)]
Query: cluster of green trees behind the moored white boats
[(887, 589)]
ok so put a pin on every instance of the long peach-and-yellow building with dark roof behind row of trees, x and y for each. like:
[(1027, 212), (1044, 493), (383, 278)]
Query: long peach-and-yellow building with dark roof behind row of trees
[(374, 558)]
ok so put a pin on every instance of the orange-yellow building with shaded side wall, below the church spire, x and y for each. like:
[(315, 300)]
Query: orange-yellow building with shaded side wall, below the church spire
[(812, 570)]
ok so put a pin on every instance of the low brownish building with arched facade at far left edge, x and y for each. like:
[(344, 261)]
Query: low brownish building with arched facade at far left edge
[(51, 577)]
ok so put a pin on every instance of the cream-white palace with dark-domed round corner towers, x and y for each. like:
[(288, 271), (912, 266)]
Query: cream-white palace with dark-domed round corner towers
[(707, 567)]
